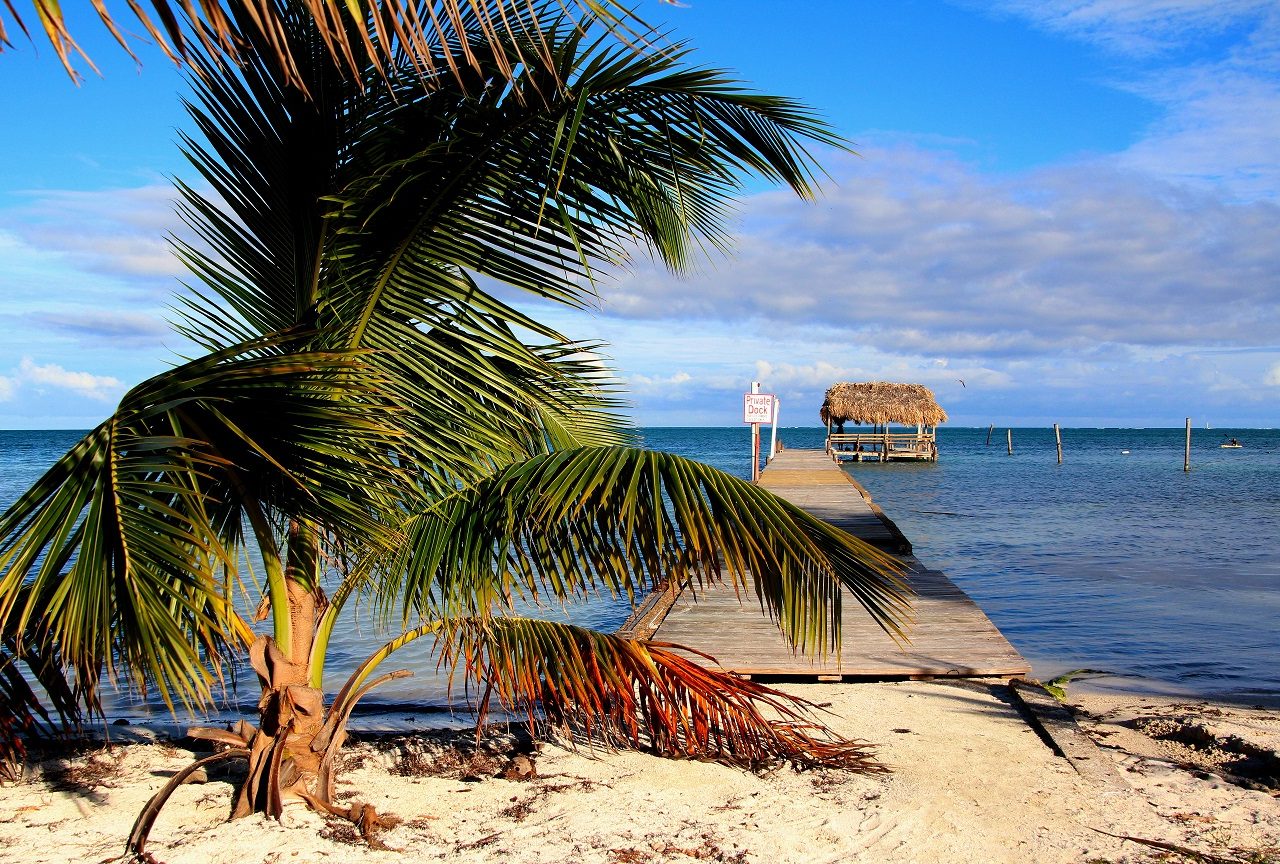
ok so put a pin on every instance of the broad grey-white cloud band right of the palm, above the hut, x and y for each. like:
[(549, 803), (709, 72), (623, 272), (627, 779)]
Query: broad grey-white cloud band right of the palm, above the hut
[(917, 253)]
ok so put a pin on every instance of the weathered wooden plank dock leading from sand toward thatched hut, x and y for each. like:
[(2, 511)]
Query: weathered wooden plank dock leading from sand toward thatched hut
[(950, 638)]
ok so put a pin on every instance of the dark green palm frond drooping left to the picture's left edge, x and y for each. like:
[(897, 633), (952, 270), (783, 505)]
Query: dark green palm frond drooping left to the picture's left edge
[(122, 551)]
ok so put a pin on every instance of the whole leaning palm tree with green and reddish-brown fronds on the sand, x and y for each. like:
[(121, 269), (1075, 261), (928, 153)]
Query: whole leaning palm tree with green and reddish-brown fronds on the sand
[(372, 422)]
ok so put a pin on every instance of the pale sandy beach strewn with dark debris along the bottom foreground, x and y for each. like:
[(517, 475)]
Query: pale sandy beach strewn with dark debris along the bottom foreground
[(971, 781)]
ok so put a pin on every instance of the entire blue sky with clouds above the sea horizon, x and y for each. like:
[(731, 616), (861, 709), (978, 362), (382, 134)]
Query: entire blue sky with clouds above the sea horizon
[(1071, 205)]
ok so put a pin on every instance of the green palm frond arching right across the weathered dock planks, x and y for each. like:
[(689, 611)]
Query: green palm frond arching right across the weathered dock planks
[(621, 520)]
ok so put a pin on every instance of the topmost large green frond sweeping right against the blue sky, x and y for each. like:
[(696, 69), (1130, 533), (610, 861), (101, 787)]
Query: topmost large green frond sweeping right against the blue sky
[(633, 149)]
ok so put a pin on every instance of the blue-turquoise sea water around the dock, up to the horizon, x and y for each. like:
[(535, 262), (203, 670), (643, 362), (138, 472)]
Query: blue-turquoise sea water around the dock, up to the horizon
[(1116, 560)]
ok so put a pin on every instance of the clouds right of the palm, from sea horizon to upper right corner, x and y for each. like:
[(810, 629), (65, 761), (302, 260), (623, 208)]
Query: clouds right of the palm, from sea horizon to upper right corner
[(1108, 289)]
